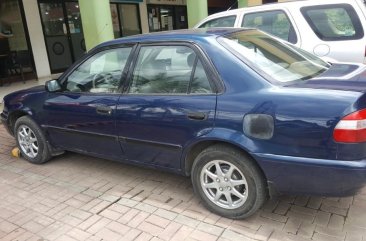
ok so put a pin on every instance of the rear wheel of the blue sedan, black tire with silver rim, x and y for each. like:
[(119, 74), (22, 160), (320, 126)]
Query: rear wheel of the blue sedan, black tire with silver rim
[(254, 191)]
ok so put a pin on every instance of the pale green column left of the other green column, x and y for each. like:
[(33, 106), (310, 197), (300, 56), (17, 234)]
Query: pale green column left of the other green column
[(97, 22)]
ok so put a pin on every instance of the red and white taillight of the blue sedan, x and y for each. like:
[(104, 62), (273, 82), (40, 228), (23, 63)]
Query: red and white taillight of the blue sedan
[(352, 128)]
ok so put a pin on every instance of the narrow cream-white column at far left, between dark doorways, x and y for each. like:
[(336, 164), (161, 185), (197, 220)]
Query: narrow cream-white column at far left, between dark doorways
[(38, 44)]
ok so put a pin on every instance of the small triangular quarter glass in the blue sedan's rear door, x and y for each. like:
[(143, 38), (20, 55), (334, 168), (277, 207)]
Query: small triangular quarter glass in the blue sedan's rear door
[(200, 83)]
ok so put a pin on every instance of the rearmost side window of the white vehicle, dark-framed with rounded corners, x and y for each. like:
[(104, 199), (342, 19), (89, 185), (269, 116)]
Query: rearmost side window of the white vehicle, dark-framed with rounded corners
[(334, 22)]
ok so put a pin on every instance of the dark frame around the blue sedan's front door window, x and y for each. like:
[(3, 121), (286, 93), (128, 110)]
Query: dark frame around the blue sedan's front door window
[(63, 78)]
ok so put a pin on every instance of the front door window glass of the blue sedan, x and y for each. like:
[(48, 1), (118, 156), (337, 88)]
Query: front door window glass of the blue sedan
[(99, 74)]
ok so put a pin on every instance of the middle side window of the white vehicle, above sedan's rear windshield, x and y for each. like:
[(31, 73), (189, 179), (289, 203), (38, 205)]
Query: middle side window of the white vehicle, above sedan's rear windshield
[(273, 22)]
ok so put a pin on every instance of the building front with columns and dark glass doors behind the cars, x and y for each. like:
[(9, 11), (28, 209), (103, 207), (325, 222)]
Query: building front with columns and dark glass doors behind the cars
[(47, 36)]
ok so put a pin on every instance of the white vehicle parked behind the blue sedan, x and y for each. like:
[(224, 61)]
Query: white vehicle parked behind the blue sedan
[(333, 29)]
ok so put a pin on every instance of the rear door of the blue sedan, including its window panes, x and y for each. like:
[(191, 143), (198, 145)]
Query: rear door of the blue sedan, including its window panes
[(169, 101)]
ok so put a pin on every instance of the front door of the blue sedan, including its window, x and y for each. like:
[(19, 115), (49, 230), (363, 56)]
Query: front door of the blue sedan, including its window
[(82, 116)]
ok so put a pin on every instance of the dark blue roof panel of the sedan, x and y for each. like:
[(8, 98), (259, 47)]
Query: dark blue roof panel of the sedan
[(175, 35)]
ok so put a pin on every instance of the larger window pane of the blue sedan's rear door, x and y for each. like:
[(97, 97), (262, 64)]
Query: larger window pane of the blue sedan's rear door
[(162, 70)]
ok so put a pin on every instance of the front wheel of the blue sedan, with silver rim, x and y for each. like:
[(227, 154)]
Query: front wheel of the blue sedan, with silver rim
[(31, 141)]
